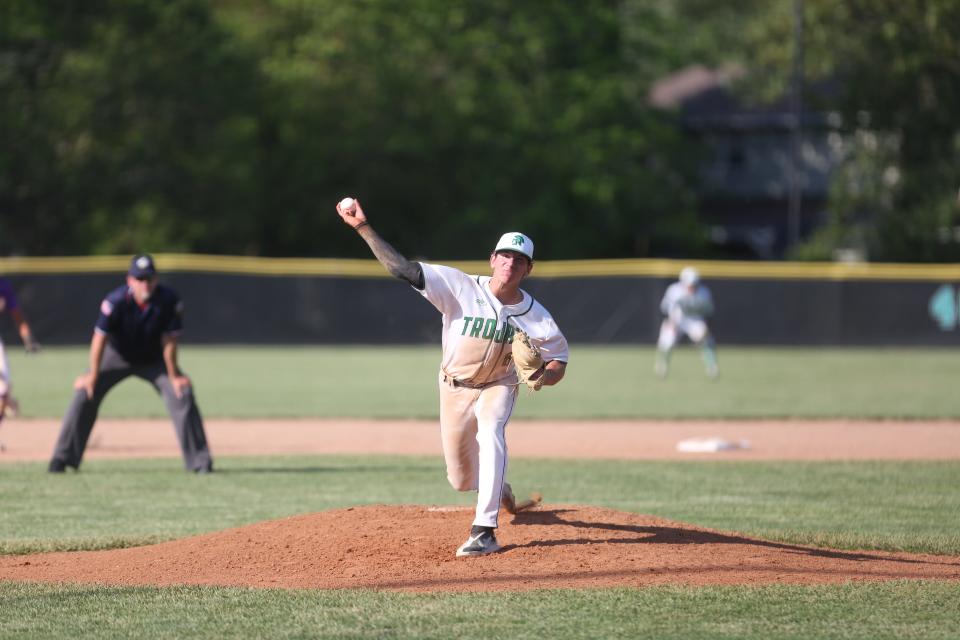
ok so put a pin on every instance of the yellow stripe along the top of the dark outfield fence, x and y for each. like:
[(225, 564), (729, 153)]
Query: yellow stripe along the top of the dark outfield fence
[(368, 268)]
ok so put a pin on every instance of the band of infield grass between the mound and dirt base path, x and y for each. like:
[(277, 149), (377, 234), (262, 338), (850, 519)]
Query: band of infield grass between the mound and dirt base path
[(910, 505)]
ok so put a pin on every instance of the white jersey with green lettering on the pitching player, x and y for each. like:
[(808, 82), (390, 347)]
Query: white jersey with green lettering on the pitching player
[(478, 328)]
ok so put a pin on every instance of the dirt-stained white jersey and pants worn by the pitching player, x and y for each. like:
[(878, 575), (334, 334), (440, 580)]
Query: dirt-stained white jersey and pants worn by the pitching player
[(478, 382)]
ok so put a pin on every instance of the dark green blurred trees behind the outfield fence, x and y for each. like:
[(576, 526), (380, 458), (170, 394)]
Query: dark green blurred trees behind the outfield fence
[(233, 127)]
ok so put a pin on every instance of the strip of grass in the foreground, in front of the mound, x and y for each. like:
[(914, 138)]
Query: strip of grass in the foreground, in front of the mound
[(895, 610)]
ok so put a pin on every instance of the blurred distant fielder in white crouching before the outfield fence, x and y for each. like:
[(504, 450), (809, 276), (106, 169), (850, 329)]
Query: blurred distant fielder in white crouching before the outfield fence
[(686, 305)]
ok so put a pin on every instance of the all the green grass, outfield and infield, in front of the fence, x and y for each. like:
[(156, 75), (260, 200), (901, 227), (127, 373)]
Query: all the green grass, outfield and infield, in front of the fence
[(881, 505)]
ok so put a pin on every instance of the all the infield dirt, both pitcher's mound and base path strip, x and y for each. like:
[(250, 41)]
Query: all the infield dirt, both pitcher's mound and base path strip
[(411, 548)]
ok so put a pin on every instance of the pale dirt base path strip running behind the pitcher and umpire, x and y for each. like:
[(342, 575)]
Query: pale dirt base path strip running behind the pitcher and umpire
[(621, 439)]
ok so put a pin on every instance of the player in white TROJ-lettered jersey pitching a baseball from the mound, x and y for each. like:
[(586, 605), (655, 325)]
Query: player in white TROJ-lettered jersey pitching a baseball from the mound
[(477, 380)]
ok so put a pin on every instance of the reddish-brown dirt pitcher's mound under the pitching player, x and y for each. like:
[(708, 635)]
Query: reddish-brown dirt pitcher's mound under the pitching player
[(412, 548)]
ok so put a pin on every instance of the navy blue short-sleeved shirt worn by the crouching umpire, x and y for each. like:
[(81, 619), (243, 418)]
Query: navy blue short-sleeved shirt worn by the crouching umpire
[(136, 332)]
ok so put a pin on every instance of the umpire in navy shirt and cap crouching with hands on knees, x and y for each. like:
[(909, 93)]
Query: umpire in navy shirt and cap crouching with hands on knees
[(135, 335)]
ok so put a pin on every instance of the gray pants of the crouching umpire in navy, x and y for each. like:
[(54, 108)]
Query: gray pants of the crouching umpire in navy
[(82, 412)]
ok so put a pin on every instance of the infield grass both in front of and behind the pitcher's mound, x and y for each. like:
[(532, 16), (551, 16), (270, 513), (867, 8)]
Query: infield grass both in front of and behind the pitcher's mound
[(882, 505)]
